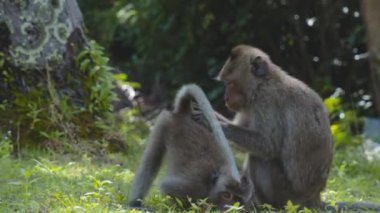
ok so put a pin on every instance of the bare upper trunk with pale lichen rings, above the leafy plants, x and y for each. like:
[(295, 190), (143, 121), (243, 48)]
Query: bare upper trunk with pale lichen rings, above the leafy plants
[(37, 37)]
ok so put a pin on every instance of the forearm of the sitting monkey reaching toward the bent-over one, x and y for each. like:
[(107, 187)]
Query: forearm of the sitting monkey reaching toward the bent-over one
[(254, 142)]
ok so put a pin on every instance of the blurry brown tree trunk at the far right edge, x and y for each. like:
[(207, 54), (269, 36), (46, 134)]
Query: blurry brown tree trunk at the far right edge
[(371, 15)]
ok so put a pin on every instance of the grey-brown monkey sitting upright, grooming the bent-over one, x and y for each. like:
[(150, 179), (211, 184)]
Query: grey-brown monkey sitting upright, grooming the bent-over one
[(283, 126)]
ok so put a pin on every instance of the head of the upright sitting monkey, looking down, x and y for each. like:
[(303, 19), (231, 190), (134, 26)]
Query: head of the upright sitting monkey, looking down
[(244, 70)]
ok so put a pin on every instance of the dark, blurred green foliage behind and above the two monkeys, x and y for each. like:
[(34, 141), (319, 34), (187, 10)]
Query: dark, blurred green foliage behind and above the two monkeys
[(320, 42)]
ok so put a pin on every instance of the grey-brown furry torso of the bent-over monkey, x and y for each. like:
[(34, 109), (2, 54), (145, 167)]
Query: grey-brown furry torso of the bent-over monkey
[(200, 154)]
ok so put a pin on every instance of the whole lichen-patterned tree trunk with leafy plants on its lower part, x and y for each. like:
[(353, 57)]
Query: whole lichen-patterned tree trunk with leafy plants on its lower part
[(54, 84)]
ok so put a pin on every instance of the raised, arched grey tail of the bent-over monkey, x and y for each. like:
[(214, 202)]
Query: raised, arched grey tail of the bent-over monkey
[(182, 104)]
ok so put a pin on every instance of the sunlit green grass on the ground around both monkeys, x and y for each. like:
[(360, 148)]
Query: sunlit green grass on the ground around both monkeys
[(45, 182)]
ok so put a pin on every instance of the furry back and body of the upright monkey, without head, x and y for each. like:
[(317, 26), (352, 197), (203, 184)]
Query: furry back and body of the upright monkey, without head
[(298, 124)]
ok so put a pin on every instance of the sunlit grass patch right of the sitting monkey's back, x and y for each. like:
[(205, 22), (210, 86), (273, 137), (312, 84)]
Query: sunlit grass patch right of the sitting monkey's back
[(353, 178)]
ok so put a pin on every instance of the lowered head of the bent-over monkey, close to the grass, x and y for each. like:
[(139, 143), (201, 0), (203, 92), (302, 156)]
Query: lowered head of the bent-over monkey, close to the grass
[(226, 191)]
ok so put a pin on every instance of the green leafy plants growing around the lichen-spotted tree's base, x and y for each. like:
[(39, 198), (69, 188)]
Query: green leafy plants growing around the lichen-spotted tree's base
[(77, 119)]
